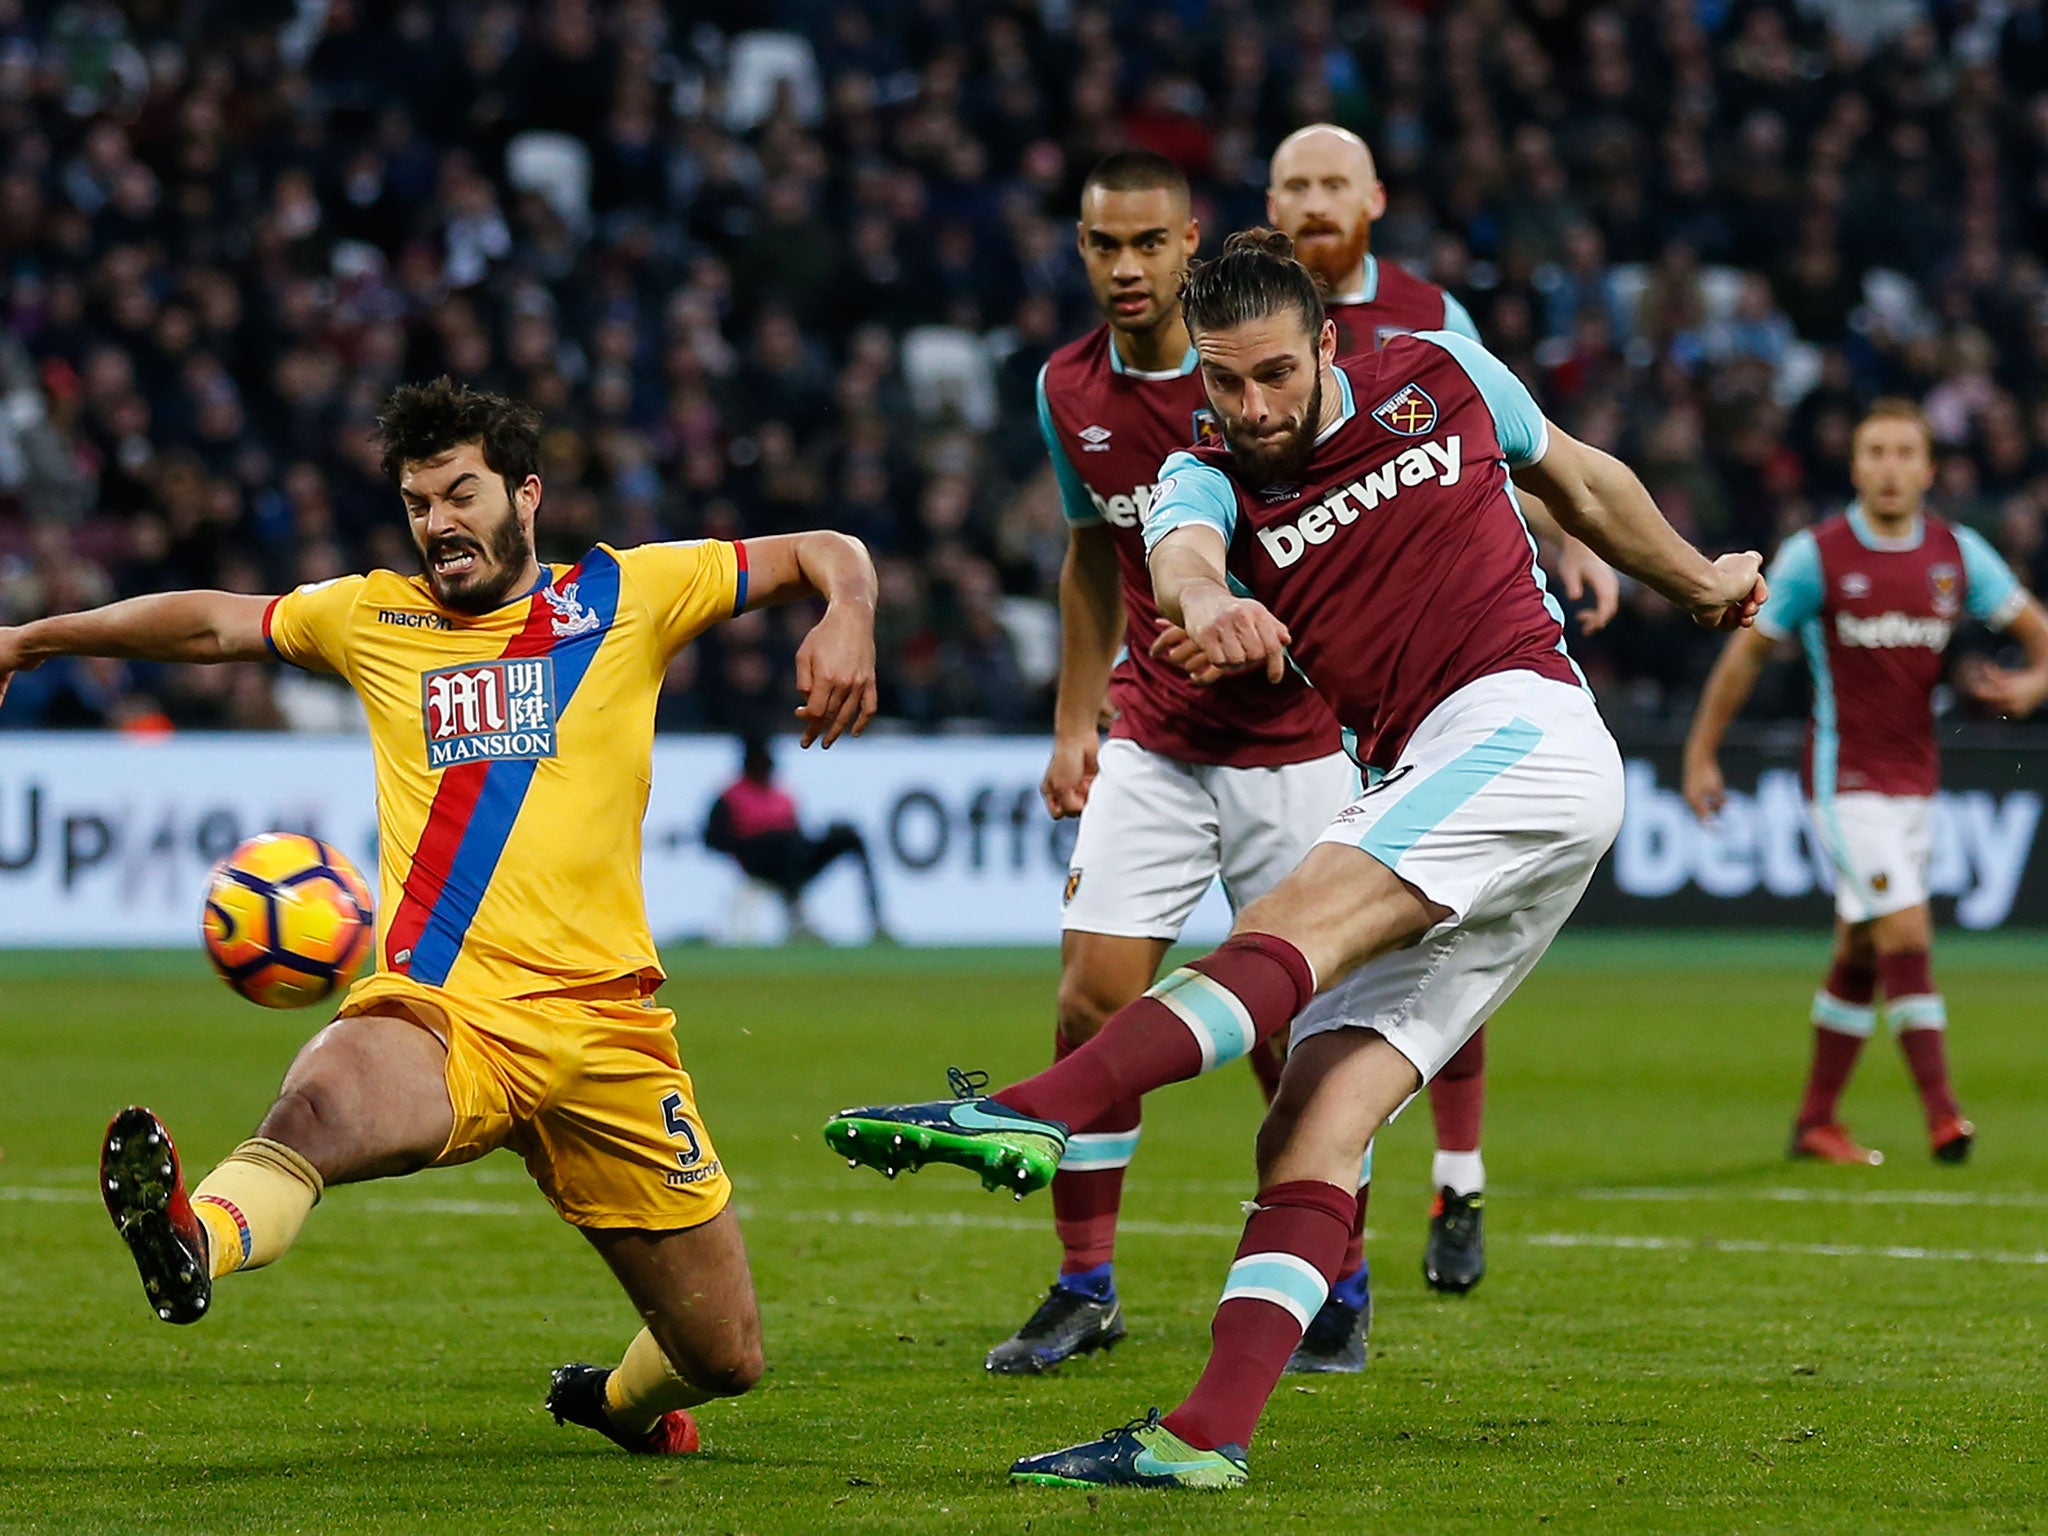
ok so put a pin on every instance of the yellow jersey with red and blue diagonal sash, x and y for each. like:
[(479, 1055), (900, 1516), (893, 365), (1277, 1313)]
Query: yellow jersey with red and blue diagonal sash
[(513, 757)]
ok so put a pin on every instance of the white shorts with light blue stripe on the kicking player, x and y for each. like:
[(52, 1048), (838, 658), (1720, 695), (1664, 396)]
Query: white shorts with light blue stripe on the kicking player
[(1500, 808)]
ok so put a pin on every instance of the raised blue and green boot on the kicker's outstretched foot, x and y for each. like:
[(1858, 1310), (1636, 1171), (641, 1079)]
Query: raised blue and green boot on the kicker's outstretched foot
[(1007, 1150)]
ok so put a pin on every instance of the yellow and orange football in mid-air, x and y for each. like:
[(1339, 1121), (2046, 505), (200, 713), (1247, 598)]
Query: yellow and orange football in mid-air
[(288, 921)]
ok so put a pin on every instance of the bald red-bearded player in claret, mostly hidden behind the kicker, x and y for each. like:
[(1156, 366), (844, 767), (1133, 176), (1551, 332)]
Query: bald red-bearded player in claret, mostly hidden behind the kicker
[(1324, 191)]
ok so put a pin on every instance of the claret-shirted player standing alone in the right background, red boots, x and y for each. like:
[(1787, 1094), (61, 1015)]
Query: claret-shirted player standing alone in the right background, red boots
[(1875, 597)]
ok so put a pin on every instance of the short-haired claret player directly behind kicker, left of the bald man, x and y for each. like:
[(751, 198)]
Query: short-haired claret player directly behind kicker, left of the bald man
[(1193, 783)]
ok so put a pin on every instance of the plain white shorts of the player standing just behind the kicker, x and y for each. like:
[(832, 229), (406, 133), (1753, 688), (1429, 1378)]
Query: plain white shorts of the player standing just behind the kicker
[(1158, 830)]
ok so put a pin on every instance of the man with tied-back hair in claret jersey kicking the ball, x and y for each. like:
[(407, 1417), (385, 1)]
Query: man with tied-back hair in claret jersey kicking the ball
[(1367, 513)]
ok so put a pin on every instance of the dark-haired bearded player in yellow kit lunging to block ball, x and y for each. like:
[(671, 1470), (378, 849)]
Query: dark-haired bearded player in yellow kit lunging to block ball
[(511, 714)]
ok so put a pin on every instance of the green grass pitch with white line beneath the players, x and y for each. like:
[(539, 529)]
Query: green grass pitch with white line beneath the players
[(1680, 1332)]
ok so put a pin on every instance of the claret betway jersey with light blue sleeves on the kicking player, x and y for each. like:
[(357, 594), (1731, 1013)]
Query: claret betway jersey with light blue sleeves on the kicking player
[(1400, 562)]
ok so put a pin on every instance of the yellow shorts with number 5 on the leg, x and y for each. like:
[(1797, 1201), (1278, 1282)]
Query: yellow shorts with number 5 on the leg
[(587, 1086)]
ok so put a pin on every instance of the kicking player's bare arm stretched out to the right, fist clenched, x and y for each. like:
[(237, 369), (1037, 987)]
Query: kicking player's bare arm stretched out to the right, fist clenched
[(1594, 497)]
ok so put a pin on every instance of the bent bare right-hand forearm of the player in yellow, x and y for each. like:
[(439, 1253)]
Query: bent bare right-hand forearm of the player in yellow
[(837, 660)]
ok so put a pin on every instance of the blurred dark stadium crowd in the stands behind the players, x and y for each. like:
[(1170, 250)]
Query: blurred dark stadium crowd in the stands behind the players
[(798, 263)]
